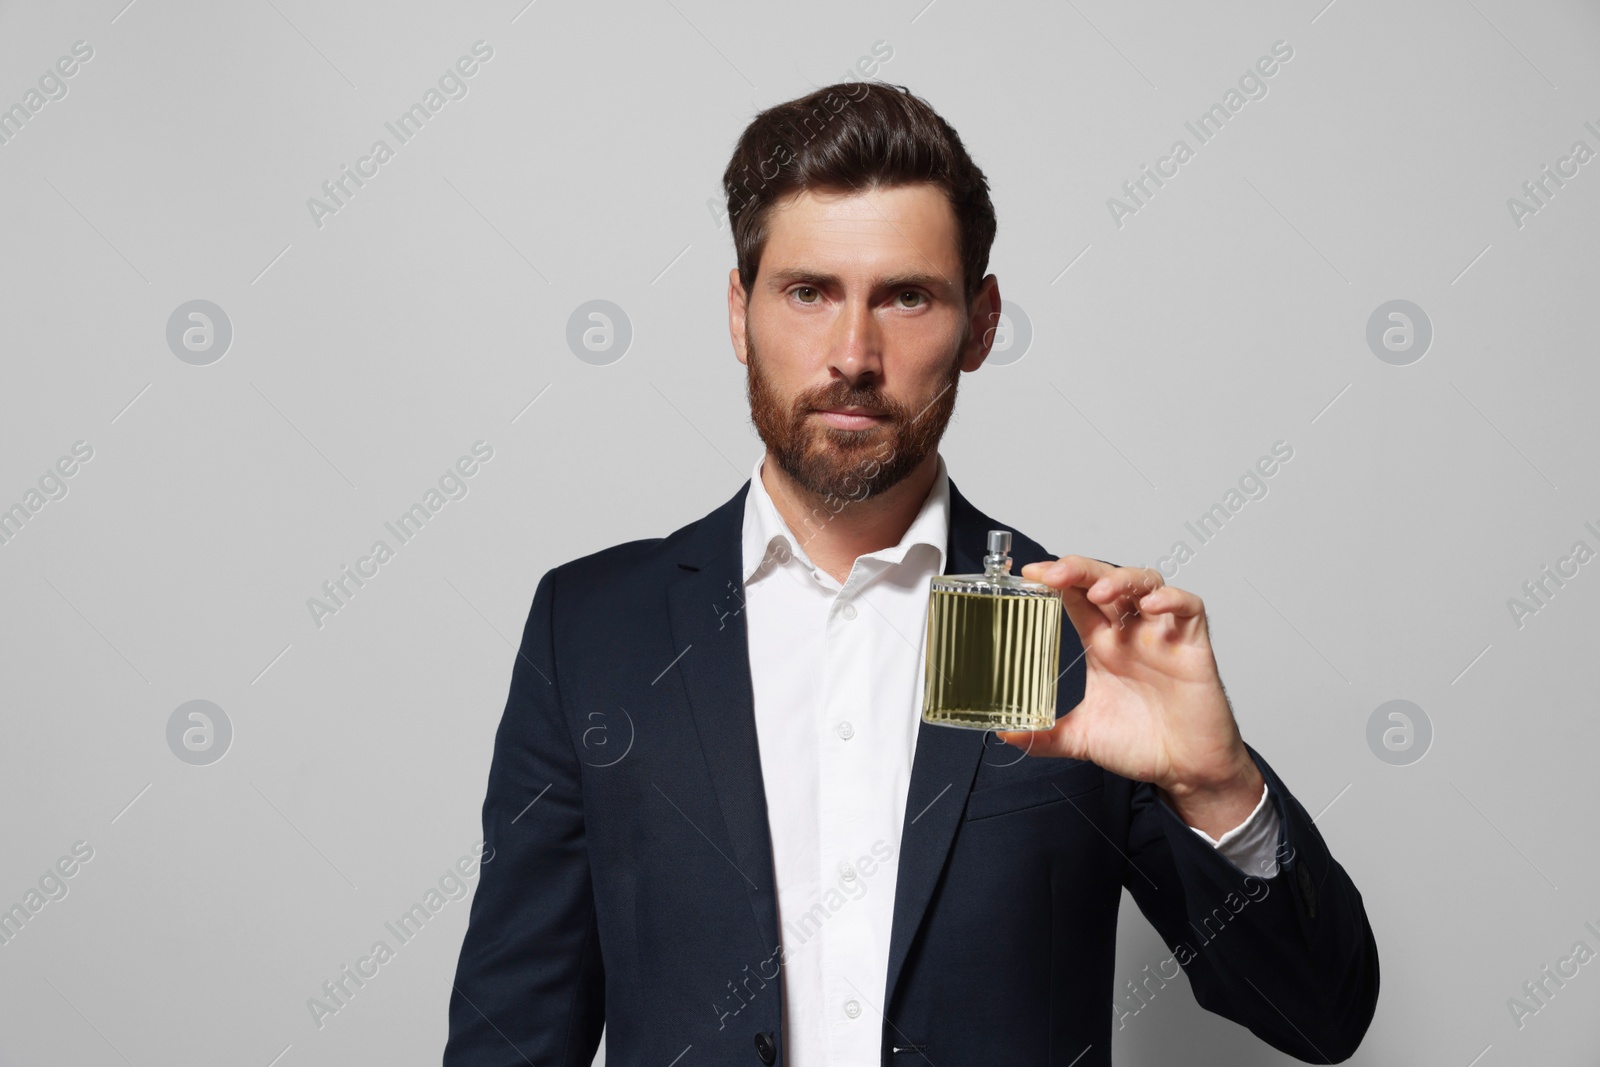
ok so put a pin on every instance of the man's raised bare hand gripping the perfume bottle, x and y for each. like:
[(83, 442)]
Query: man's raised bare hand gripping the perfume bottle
[(1153, 706)]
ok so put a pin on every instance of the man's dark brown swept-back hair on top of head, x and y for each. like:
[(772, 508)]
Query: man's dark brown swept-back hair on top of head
[(852, 137)]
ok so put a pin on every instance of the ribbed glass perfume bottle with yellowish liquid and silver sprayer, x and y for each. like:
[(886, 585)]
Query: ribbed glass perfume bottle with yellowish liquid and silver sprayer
[(994, 647)]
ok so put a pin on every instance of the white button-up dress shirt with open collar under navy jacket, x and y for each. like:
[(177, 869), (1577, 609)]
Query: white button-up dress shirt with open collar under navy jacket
[(838, 677)]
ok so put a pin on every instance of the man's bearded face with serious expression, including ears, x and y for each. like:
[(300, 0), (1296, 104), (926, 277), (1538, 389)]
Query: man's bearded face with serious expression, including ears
[(855, 335)]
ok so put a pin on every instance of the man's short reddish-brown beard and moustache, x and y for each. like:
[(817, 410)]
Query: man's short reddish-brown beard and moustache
[(828, 462)]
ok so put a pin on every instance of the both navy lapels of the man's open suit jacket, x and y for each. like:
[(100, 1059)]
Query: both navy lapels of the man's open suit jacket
[(706, 612)]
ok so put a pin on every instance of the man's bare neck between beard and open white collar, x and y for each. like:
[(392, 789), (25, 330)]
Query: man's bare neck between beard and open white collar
[(836, 532)]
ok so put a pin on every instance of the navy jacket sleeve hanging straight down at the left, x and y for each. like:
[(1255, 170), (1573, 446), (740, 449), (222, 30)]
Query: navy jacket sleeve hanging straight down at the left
[(530, 986)]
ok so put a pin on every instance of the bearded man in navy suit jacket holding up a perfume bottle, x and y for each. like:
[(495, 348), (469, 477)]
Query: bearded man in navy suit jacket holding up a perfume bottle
[(721, 829)]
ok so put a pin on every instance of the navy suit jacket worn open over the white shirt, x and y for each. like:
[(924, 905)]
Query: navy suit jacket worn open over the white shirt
[(630, 882)]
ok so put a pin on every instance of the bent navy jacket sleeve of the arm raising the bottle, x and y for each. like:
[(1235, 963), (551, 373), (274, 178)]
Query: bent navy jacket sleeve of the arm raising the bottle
[(1290, 957)]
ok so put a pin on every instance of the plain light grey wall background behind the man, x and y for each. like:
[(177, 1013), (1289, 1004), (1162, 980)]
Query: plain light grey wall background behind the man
[(431, 313)]
